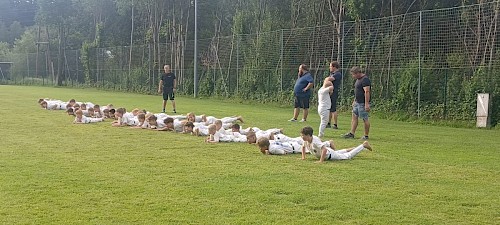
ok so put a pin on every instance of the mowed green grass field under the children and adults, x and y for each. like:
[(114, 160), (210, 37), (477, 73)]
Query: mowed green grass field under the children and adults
[(54, 172)]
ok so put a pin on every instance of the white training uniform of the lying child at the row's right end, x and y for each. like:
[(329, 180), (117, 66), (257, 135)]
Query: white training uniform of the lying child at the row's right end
[(316, 146)]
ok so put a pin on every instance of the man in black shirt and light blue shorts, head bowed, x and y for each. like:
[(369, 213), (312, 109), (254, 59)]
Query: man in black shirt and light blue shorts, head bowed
[(361, 103)]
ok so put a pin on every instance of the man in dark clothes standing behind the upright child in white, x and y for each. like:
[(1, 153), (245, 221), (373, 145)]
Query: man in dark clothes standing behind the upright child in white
[(336, 78)]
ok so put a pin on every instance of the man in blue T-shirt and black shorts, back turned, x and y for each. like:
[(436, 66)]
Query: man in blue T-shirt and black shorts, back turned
[(302, 93)]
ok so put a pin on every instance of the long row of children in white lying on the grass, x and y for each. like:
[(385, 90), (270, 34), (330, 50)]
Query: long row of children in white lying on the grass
[(271, 141)]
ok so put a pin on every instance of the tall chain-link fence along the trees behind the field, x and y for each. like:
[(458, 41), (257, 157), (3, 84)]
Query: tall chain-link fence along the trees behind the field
[(429, 64)]
